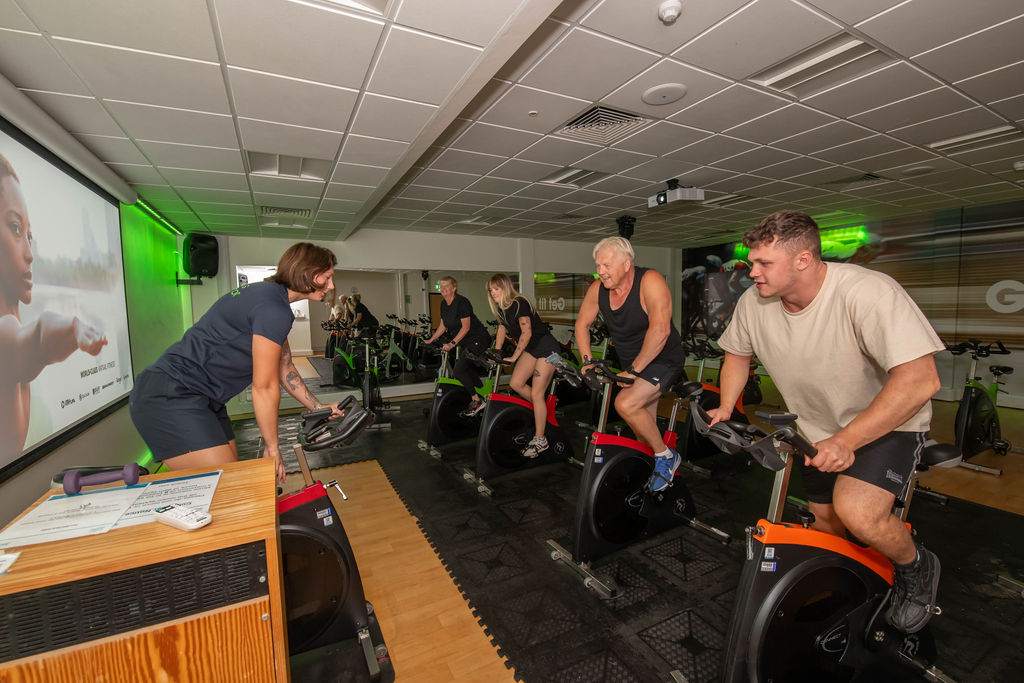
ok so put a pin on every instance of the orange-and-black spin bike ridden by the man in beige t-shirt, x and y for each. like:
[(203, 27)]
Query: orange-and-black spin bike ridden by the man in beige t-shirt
[(809, 607)]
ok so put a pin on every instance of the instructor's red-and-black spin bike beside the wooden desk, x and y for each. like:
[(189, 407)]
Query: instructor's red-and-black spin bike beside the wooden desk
[(332, 631)]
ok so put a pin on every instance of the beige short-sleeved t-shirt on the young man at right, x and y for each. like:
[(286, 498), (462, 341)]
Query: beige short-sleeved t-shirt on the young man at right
[(831, 360)]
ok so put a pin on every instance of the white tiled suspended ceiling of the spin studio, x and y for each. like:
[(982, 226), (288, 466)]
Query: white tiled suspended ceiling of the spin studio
[(443, 116)]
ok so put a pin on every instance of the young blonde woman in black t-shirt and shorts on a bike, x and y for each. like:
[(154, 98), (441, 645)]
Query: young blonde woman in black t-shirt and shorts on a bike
[(517, 318)]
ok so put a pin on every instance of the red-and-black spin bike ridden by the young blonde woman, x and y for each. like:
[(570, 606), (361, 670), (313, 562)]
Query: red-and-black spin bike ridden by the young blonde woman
[(506, 430)]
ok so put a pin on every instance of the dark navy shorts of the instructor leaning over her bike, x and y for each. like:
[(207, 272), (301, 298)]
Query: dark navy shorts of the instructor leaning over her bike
[(175, 420)]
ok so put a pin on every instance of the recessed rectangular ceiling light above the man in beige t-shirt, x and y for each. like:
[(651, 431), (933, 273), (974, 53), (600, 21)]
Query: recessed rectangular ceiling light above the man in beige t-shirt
[(824, 66)]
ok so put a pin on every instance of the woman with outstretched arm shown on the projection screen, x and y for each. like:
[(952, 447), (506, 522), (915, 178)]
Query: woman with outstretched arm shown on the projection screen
[(27, 350)]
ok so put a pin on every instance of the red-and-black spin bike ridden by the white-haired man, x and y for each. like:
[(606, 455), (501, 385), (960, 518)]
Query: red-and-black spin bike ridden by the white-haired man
[(615, 507)]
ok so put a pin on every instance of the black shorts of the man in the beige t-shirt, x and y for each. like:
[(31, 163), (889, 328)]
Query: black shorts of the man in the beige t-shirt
[(888, 463)]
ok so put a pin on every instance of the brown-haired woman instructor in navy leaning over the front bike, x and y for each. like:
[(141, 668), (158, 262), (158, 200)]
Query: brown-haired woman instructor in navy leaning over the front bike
[(179, 402)]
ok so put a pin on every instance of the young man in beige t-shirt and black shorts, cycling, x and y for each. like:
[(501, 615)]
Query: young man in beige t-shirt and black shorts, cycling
[(851, 354)]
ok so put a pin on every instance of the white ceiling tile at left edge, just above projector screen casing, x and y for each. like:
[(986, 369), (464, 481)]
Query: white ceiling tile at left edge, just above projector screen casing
[(30, 63)]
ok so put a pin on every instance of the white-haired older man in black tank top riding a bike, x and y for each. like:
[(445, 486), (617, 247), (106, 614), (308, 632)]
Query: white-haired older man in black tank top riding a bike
[(636, 305)]
